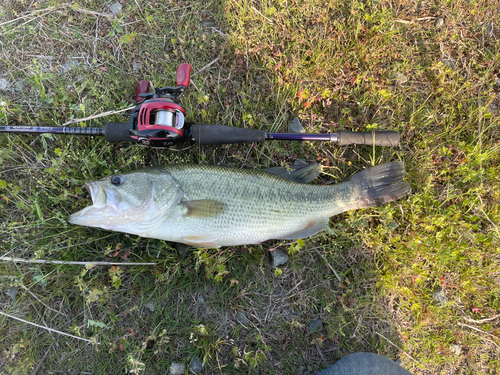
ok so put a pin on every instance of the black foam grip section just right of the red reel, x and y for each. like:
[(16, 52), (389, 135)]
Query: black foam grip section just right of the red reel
[(222, 135)]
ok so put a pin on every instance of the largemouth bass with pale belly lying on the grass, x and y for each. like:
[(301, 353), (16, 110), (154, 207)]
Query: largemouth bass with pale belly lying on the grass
[(212, 206)]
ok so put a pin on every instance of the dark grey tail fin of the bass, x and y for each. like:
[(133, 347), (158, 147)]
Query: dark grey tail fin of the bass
[(380, 184)]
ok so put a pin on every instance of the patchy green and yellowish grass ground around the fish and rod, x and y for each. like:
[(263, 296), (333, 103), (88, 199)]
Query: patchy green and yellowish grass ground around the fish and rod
[(332, 64)]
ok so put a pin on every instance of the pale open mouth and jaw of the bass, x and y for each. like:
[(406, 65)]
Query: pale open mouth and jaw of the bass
[(104, 207)]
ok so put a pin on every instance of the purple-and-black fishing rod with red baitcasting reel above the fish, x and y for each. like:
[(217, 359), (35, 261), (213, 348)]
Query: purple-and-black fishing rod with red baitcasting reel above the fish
[(158, 121)]
